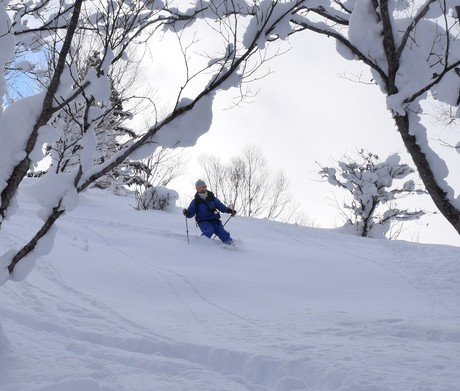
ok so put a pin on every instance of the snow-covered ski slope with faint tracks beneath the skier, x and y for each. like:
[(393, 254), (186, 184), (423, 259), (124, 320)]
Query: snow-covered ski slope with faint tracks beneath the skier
[(124, 303)]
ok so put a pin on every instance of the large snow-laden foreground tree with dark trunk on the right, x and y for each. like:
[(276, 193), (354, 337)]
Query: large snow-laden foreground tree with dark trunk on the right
[(412, 49)]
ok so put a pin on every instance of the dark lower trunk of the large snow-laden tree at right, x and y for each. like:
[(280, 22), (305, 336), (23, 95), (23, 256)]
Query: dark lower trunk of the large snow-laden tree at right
[(438, 195)]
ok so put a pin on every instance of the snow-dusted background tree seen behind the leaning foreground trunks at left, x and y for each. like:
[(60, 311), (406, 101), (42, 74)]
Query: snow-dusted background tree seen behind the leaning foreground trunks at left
[(110, 128)]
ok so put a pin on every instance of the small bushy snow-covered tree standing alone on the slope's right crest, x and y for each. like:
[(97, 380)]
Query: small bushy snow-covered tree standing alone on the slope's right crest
[(372, 209)]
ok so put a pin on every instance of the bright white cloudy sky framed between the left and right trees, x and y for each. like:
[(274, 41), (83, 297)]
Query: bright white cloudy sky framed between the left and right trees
[(311, 109)]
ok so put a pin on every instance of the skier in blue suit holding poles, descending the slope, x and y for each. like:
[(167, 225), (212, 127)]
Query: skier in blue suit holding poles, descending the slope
[(205, 207)]
